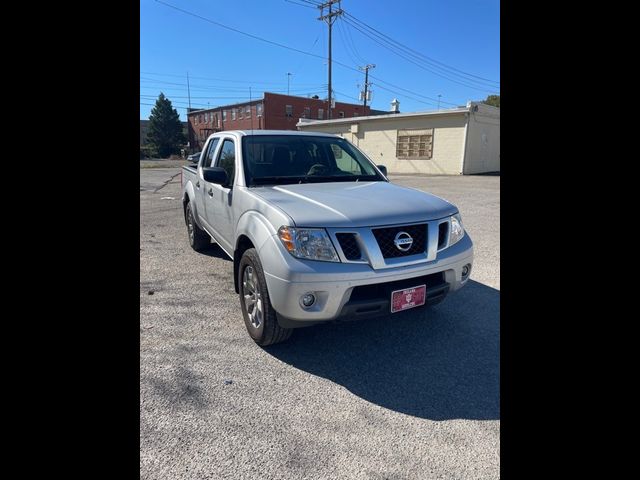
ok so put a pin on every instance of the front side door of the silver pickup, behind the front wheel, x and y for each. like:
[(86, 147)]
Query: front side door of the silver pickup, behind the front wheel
[(219, 198)]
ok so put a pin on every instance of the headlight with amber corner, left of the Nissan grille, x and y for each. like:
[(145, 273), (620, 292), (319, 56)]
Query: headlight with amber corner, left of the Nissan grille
[(309, 243)]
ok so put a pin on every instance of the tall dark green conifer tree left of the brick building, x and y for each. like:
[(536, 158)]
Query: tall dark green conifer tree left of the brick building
[(165, 128)]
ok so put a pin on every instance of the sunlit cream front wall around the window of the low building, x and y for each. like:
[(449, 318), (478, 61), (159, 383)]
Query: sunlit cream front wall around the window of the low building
[(377, 138)]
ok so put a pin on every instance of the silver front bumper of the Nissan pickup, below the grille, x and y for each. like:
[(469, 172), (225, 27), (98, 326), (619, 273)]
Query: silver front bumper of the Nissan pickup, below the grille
[(332, 284)]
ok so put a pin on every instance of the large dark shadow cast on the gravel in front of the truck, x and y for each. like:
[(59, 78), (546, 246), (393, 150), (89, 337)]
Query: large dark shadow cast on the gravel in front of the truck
[(442, 363)]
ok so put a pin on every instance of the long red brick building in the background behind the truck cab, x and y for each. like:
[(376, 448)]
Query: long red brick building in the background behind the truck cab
[(272, 112)]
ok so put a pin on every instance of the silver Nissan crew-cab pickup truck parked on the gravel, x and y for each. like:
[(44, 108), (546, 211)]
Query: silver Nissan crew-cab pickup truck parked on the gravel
[(317, 232)]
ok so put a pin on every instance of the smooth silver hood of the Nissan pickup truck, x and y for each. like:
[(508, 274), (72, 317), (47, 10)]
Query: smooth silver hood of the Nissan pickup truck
[(359, 204)]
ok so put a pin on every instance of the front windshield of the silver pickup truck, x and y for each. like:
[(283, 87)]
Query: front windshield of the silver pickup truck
[(281, 159)]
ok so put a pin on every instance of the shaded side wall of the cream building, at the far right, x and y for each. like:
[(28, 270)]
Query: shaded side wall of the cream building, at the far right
[(483, 141)]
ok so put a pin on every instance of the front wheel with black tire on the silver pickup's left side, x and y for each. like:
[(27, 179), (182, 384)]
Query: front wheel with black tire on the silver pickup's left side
[(261, 321)]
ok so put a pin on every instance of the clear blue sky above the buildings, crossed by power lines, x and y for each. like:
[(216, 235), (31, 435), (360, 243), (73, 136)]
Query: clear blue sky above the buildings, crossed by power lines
[(454, 51)]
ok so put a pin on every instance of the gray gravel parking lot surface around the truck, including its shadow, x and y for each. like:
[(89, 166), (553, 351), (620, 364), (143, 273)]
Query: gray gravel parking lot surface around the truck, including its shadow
[(409, 396)]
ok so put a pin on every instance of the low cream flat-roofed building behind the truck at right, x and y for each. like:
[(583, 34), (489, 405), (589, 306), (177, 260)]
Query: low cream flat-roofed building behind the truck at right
[(456, 141)]
